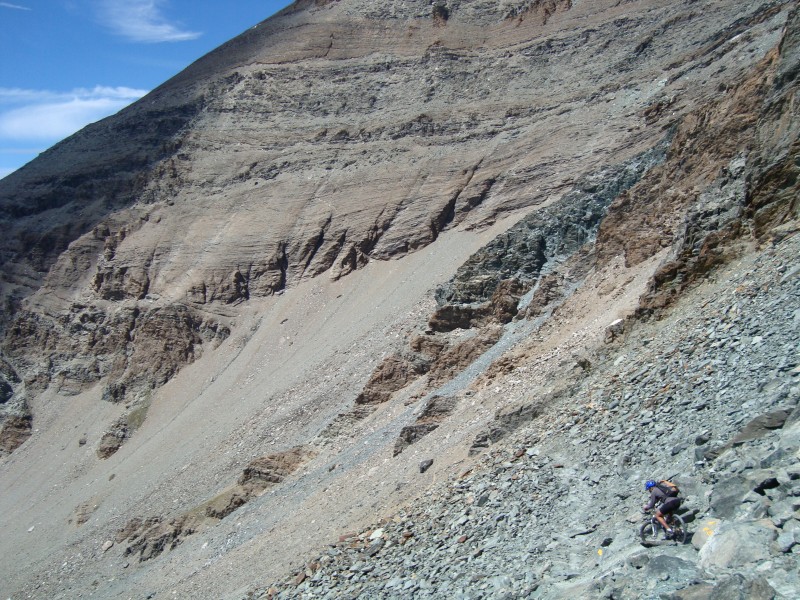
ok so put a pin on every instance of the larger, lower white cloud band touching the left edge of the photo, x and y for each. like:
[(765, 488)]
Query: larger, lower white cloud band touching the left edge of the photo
[(42, 115)]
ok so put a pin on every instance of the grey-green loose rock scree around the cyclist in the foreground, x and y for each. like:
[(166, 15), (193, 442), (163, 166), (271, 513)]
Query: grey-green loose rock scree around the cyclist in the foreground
[(546, 513)]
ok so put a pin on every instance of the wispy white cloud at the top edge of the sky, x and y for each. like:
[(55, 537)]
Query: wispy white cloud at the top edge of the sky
[(142, 21)]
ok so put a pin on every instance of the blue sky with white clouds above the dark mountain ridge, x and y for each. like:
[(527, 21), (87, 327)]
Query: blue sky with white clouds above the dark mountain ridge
[(67, 63)]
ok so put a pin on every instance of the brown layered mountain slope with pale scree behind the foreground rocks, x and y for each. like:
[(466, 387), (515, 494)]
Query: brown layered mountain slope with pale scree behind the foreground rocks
[(221, 304)]
